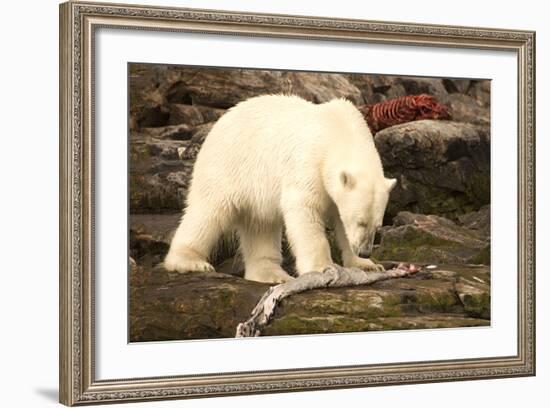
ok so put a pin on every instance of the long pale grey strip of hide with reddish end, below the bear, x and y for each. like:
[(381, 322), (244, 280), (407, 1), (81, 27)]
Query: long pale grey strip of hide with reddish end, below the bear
[(334, 276)]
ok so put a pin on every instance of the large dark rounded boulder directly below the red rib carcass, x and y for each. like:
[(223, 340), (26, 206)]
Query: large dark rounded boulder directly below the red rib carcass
[(441, 167)]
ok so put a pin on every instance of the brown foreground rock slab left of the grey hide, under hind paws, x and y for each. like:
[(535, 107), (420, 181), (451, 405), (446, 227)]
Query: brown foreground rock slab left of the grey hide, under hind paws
[(172, 306)]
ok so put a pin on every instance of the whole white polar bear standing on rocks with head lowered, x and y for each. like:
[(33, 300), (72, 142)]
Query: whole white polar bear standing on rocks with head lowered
[(277, 161)]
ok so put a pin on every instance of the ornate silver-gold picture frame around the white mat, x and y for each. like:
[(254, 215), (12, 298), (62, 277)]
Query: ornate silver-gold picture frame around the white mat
[(79, 22)]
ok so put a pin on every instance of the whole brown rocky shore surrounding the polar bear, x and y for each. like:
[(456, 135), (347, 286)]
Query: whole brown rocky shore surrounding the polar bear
[(439, 212)]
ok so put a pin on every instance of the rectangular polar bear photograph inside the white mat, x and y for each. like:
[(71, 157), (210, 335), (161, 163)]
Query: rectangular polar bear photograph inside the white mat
[(271, 202)]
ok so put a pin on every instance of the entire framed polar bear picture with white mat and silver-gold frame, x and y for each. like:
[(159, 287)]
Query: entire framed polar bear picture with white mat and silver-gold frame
[(315, 184)]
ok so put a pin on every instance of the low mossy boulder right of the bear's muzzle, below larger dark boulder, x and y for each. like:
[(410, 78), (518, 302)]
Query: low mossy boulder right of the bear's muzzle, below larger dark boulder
[(431, 239)]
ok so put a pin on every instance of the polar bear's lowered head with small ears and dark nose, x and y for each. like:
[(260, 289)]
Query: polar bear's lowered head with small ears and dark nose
[(361, 204)]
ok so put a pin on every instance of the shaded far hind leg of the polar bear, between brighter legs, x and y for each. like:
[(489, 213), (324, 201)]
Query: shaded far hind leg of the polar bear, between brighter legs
[(261, 249)]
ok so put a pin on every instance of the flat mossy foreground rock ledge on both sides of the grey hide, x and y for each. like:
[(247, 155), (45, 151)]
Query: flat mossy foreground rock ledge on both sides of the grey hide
[(197, 305)]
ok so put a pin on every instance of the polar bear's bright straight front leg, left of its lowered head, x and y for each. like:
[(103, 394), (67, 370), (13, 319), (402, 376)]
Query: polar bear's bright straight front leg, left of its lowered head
[(306, 233)]
